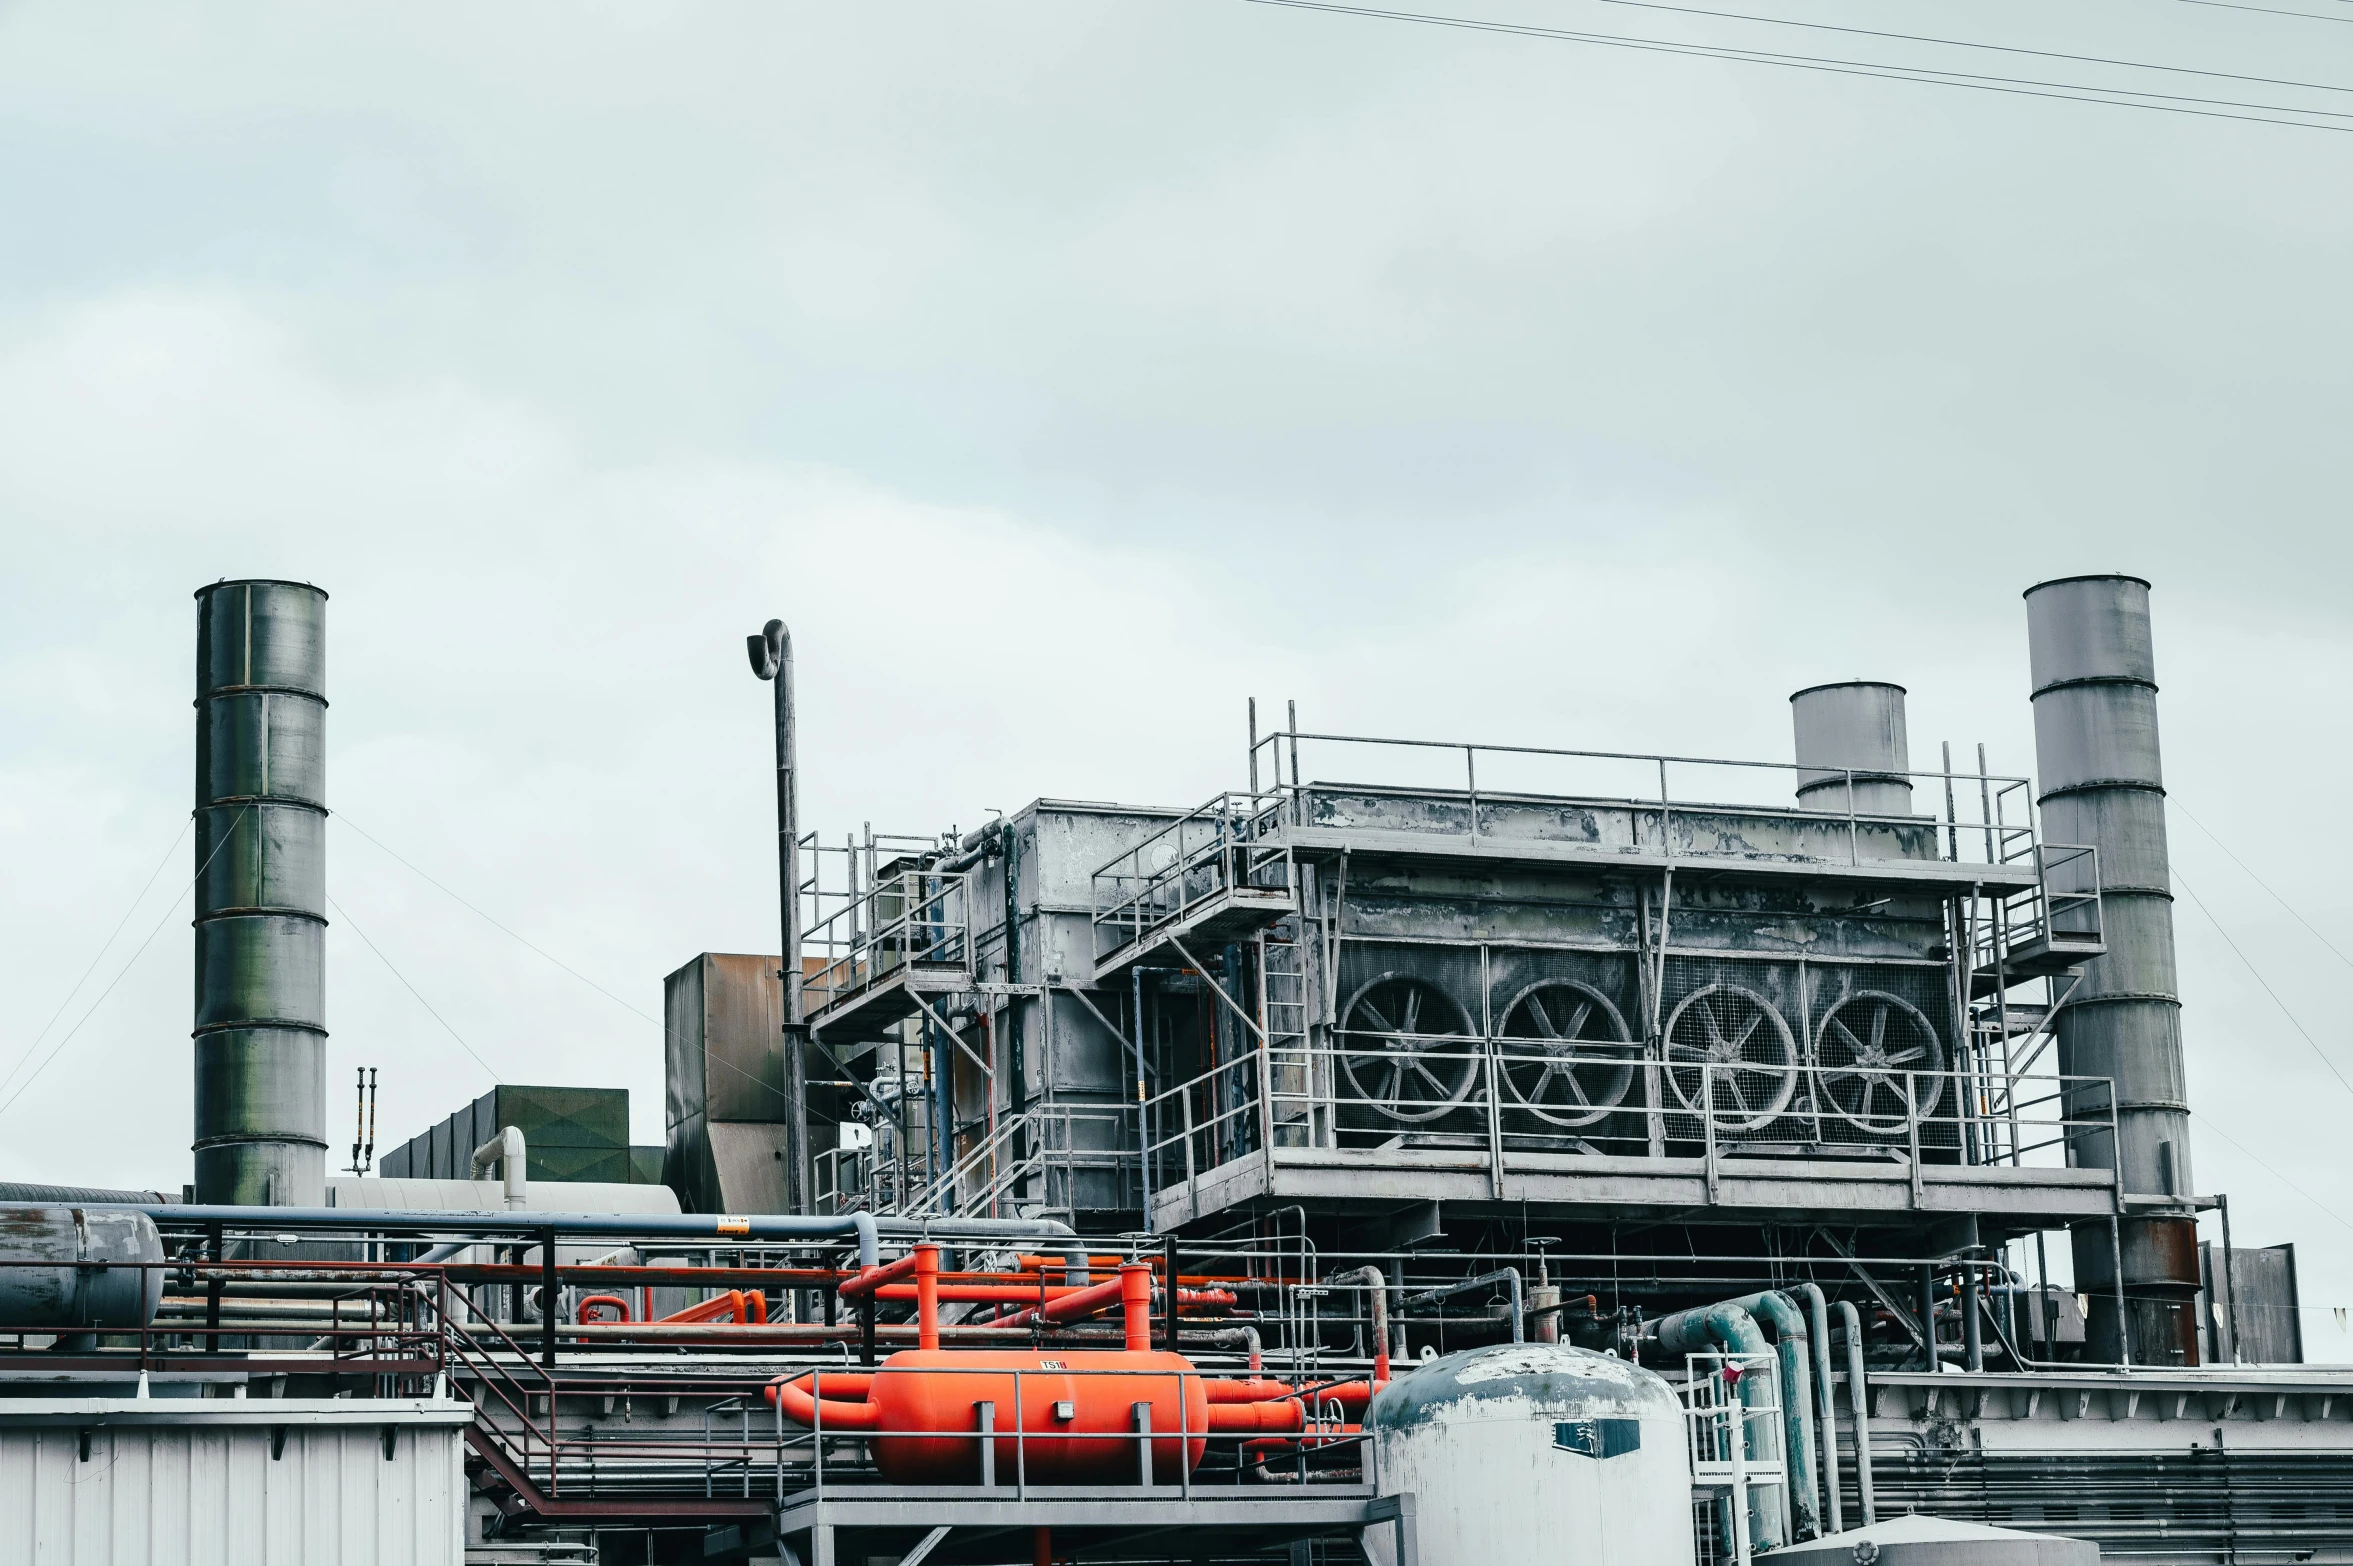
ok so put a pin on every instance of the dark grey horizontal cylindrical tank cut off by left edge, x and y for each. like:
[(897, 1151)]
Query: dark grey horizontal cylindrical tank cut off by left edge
[(86, 1269)]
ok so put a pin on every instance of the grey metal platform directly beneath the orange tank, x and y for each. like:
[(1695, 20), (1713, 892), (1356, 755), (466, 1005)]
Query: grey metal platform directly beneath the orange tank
[(956, 1525)]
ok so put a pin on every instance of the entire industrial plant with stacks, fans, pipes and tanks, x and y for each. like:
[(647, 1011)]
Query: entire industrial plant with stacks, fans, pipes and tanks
[(1427, 1153)]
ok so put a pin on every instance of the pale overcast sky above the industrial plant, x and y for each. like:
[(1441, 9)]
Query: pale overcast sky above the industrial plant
[(1069, 375)]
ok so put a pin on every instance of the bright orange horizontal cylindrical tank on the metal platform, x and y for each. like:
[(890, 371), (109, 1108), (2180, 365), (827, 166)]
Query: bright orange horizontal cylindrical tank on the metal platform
[(1076, 1412)]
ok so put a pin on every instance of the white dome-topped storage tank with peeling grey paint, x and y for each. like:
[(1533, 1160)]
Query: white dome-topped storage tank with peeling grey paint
[(1533, 1452)]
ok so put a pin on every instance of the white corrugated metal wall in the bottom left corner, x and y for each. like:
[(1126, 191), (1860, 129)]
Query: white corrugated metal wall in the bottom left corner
[(201, 1494)]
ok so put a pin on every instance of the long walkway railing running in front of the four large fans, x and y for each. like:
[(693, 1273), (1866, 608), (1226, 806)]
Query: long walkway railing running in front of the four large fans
[(1509, 1097)]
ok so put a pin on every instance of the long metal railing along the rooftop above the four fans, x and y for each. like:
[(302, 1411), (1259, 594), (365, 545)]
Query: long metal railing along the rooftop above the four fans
[(1665, 805)]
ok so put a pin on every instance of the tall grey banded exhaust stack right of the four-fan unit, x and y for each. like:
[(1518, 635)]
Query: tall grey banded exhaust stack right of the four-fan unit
[(2095, 690)]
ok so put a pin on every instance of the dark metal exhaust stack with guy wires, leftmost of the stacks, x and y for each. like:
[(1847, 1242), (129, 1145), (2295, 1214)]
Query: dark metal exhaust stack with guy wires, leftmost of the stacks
[(260, 895)]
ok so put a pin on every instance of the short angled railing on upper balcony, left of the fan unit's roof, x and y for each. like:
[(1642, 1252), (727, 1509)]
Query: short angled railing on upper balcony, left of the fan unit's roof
[(1201, 859)]
